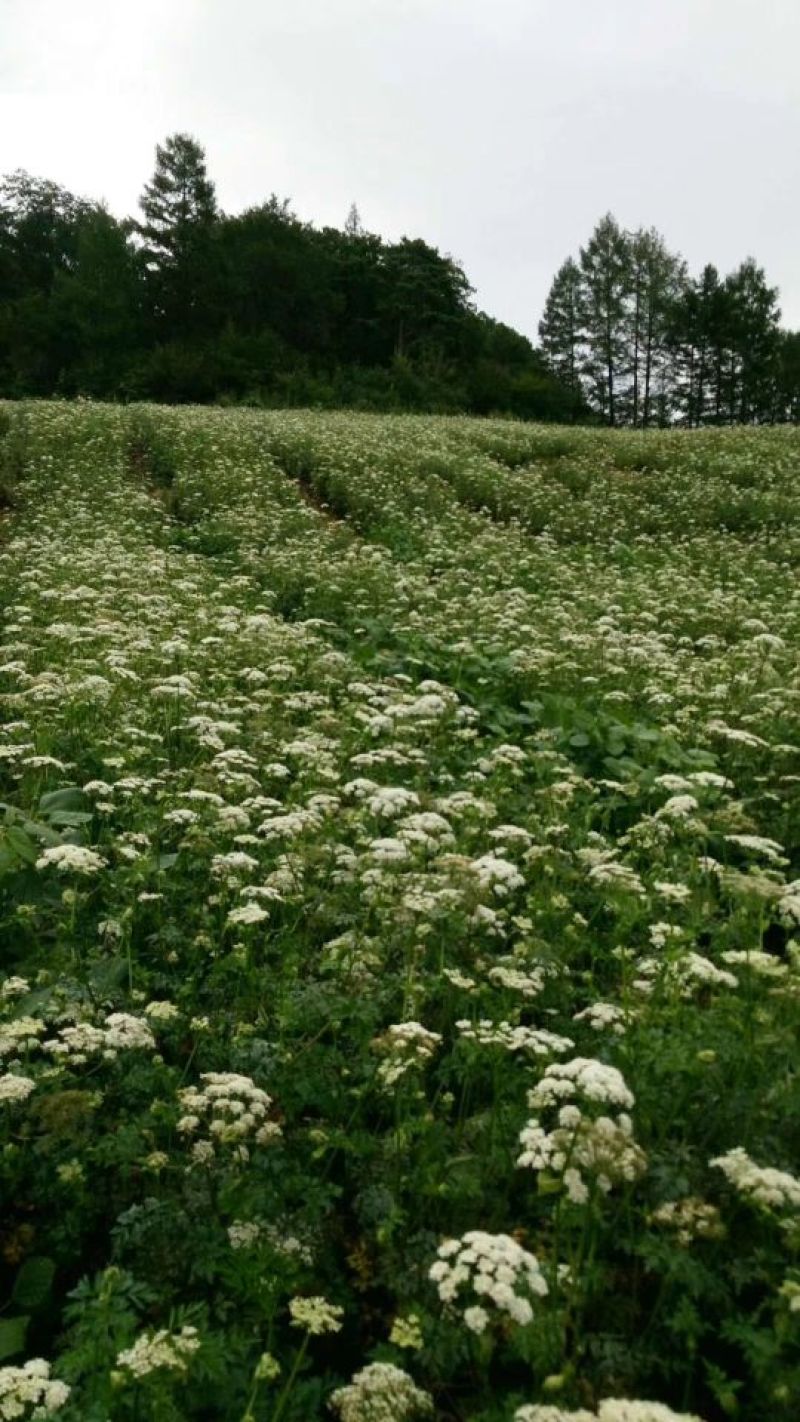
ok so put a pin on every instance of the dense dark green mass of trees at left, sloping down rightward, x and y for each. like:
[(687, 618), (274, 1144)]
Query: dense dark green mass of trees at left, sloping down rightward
[(190, 304)]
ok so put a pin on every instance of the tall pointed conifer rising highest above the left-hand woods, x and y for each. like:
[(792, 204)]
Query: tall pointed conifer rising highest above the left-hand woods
[(177, 235)]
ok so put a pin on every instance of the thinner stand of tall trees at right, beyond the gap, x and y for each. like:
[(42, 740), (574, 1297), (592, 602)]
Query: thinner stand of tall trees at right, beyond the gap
[(630, 332)]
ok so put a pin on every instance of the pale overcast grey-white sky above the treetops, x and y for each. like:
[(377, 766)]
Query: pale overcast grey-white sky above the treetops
[(498, 130)]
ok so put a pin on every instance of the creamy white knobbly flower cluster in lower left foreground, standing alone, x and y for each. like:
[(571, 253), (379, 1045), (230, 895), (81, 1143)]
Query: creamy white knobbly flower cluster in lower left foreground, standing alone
[(232, 1110)]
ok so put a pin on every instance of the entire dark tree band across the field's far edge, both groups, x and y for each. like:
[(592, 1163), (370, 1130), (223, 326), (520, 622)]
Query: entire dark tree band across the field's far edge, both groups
[(190, 304)]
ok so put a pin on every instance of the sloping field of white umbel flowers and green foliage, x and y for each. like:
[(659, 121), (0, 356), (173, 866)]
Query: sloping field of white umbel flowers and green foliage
[(400, 916)]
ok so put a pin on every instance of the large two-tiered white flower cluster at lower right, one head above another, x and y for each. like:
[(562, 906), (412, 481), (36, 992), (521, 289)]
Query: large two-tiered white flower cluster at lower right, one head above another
[(582, 1144)]
